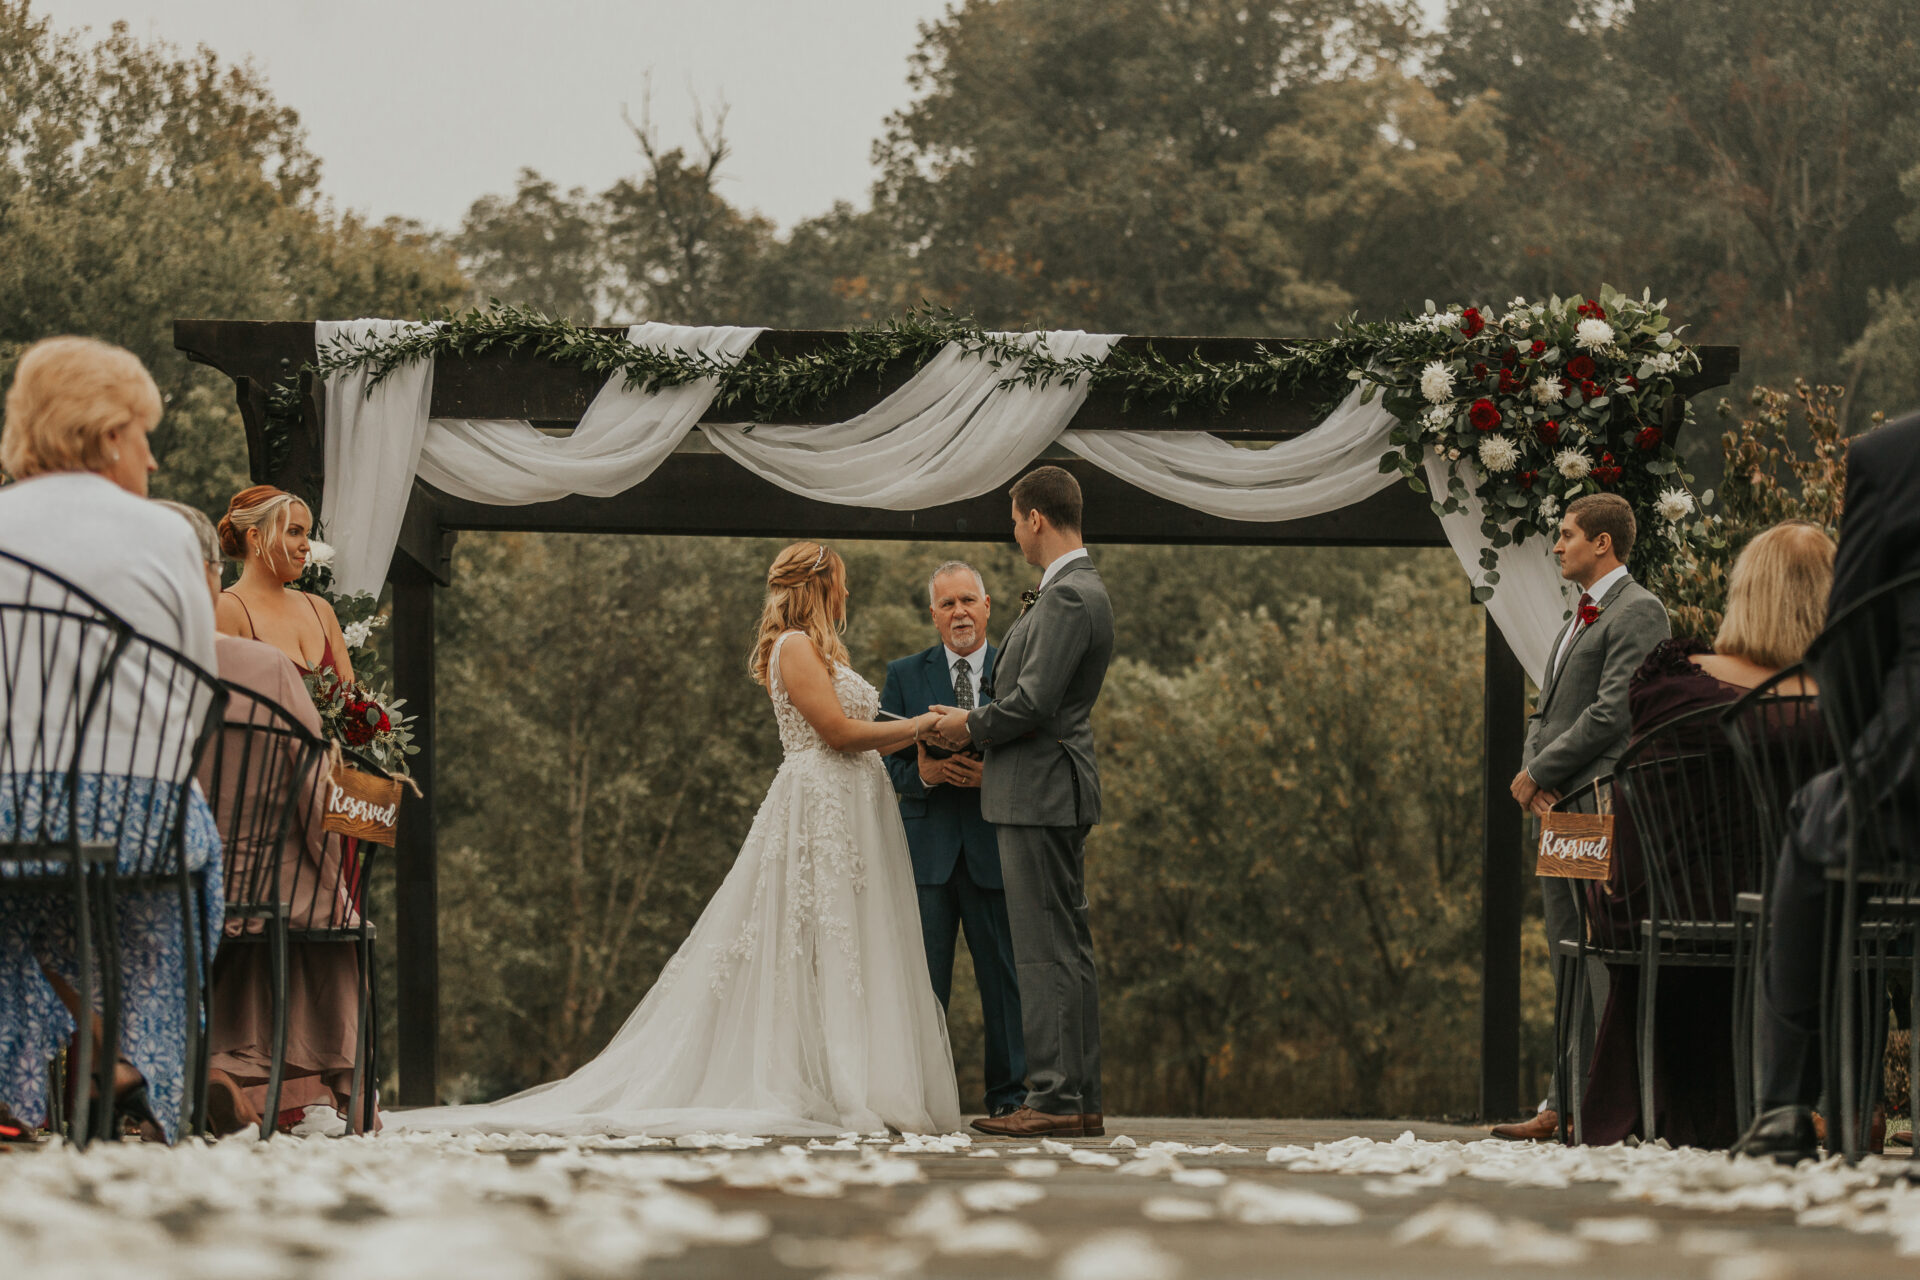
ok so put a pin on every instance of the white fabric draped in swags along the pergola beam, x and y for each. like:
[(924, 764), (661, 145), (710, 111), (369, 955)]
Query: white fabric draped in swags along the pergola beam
[(951, 433)]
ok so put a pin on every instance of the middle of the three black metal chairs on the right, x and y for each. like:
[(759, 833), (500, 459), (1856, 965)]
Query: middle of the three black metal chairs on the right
[(1781, 744)]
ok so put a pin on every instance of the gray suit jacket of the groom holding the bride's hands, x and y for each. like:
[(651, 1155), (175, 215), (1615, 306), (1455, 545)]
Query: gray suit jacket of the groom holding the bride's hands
[(1038, 732)]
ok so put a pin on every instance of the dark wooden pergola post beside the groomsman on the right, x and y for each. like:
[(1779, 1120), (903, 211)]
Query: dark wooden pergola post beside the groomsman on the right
[(1502, 880)]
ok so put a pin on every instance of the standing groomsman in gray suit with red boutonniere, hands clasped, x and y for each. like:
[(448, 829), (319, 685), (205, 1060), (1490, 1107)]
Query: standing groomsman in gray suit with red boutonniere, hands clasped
[(1579, 730)]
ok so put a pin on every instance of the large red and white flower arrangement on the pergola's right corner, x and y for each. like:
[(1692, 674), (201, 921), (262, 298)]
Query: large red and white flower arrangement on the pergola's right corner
[(1535, 406)]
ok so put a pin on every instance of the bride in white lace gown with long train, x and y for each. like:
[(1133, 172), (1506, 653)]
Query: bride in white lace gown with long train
[(800, 1005)]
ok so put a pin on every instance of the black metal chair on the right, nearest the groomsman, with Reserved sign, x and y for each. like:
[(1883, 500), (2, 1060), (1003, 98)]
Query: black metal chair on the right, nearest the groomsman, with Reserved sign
[(1702, 847)]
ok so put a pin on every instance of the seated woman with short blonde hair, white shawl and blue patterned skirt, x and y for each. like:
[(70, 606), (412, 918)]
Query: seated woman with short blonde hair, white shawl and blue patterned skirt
[(76, 440)]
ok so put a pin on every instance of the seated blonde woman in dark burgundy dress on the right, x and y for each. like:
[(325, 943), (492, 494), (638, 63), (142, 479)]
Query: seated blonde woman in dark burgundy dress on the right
[(1775, 607)]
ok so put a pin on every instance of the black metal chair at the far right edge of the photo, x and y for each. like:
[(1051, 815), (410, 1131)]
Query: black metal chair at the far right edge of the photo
[(1869, 669)]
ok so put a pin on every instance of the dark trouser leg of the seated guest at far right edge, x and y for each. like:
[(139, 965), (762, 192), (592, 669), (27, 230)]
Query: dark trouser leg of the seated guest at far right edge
[(1790, 1012)]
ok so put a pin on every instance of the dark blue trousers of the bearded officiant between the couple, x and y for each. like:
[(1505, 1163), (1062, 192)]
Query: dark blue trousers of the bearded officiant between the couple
[(982, 913)]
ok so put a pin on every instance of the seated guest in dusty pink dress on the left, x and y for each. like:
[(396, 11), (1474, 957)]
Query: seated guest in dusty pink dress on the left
[(322, 978)]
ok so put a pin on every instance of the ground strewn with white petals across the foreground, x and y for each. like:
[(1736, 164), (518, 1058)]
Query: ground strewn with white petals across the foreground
[(1155, 1202)]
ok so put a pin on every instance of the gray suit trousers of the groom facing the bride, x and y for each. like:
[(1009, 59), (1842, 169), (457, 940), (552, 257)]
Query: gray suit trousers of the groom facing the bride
[(1053, 953)]
